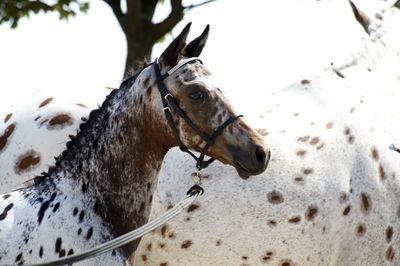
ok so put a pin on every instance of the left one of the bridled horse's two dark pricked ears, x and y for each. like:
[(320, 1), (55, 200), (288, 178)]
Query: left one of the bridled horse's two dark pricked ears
[(170, 57)]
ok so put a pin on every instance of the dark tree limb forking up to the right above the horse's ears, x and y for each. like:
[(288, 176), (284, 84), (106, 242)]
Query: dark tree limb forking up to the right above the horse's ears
[(169, 23)]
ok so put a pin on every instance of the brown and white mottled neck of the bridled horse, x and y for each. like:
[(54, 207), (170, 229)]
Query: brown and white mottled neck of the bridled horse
[(118, 154)]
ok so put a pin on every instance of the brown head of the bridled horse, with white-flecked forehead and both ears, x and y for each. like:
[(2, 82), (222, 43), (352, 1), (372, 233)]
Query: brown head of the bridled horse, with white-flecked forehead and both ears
[(209, 124)]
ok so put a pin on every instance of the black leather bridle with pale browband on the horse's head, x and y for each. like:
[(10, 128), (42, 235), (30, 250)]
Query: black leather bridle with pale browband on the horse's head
[(169, 101)]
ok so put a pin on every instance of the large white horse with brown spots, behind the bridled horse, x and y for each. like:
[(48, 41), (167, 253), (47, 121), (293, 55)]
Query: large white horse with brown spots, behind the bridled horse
[(330, 195)]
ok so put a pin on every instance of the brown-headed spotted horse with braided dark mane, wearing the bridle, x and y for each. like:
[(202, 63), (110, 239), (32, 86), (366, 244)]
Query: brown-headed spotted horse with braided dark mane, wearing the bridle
[(103, 184)]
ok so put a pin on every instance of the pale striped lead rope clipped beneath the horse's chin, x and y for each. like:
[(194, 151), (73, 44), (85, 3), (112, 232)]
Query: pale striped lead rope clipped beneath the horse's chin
[(195, 191)]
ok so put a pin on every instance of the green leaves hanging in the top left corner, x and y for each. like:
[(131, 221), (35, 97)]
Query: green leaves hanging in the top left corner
[(13, 10)]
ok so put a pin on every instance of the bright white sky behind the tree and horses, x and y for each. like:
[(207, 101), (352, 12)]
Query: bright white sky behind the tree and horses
[(253, 45)]
